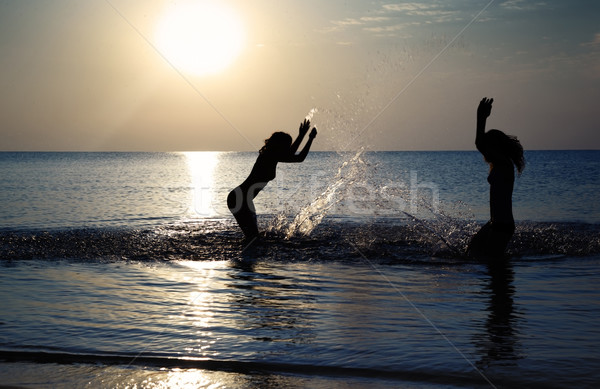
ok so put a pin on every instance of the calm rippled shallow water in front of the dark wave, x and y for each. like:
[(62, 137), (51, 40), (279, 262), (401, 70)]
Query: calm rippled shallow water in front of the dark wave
[(532, 322)]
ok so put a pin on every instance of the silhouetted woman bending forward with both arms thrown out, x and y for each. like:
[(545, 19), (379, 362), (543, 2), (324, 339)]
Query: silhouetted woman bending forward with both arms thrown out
[(278, 148)]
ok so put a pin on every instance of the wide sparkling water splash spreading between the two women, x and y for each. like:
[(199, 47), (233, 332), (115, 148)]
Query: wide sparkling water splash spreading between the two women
[(450, 228)]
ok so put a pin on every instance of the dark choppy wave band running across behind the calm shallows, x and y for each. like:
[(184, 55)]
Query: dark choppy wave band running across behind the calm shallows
[(387, 240)]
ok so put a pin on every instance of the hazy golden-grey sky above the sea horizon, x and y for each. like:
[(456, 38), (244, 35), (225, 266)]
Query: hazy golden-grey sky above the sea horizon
[(101, 75)]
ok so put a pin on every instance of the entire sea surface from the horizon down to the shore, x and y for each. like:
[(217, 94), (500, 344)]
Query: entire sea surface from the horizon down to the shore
[(126, 270)]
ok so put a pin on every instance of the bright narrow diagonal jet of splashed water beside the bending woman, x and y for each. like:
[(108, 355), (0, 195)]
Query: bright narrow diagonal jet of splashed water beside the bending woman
[(311, 215)]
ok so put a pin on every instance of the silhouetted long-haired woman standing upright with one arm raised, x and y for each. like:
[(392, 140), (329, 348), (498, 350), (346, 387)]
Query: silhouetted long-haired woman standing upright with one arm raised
[(503, 153)]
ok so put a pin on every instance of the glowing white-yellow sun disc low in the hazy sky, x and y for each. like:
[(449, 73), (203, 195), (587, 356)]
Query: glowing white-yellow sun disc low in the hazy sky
[(200, 37)]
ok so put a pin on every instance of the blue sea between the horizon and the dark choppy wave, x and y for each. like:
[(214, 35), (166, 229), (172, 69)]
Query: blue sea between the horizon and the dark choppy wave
[(66, 190)]
